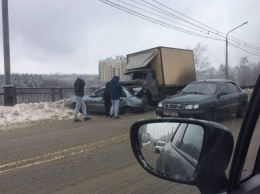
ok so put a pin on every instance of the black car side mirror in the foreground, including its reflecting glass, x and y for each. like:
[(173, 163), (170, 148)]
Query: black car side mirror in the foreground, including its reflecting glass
[(193, 152)]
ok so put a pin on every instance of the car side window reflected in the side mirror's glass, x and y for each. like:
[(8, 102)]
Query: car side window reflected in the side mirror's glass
[(192, 141)]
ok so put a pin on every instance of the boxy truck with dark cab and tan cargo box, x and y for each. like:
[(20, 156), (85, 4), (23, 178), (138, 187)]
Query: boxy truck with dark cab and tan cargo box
[(160, 71)]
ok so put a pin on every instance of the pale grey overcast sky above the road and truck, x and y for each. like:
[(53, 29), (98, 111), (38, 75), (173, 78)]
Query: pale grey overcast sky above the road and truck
[(71, 36)]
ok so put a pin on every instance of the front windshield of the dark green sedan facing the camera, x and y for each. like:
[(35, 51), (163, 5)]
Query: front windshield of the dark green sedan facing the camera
[(200, 88)]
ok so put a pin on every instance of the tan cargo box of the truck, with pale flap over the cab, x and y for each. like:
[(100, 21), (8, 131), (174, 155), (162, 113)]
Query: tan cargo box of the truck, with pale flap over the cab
[(173, 66)]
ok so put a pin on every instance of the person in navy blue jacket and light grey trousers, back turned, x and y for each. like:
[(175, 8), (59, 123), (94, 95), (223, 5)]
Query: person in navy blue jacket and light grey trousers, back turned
[(115, 92)]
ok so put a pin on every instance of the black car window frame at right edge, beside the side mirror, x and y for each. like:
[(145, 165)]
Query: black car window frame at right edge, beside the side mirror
[(244, 140)]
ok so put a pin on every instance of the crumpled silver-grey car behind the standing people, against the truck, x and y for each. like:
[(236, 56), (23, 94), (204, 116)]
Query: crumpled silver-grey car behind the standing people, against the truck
[(129, 102)]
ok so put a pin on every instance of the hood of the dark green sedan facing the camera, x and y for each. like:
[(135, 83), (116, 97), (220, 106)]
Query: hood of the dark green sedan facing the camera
[(186, 98)]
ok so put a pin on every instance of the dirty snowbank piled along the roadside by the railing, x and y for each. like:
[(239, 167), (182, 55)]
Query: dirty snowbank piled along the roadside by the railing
[(28, 114)]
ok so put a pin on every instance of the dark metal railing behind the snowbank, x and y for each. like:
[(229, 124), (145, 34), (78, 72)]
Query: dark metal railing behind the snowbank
[(44, 94)]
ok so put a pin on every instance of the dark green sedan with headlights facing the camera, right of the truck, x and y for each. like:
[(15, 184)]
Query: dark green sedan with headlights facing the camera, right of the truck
[(207, 99)]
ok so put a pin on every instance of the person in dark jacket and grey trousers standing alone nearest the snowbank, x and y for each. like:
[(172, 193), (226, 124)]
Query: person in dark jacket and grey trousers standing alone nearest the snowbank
[(79, 93)]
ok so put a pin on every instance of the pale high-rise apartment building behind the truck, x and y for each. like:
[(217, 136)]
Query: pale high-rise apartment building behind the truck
[(110, 67)]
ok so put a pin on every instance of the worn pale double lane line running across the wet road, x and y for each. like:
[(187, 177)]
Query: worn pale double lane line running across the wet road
[(59, 154)]
